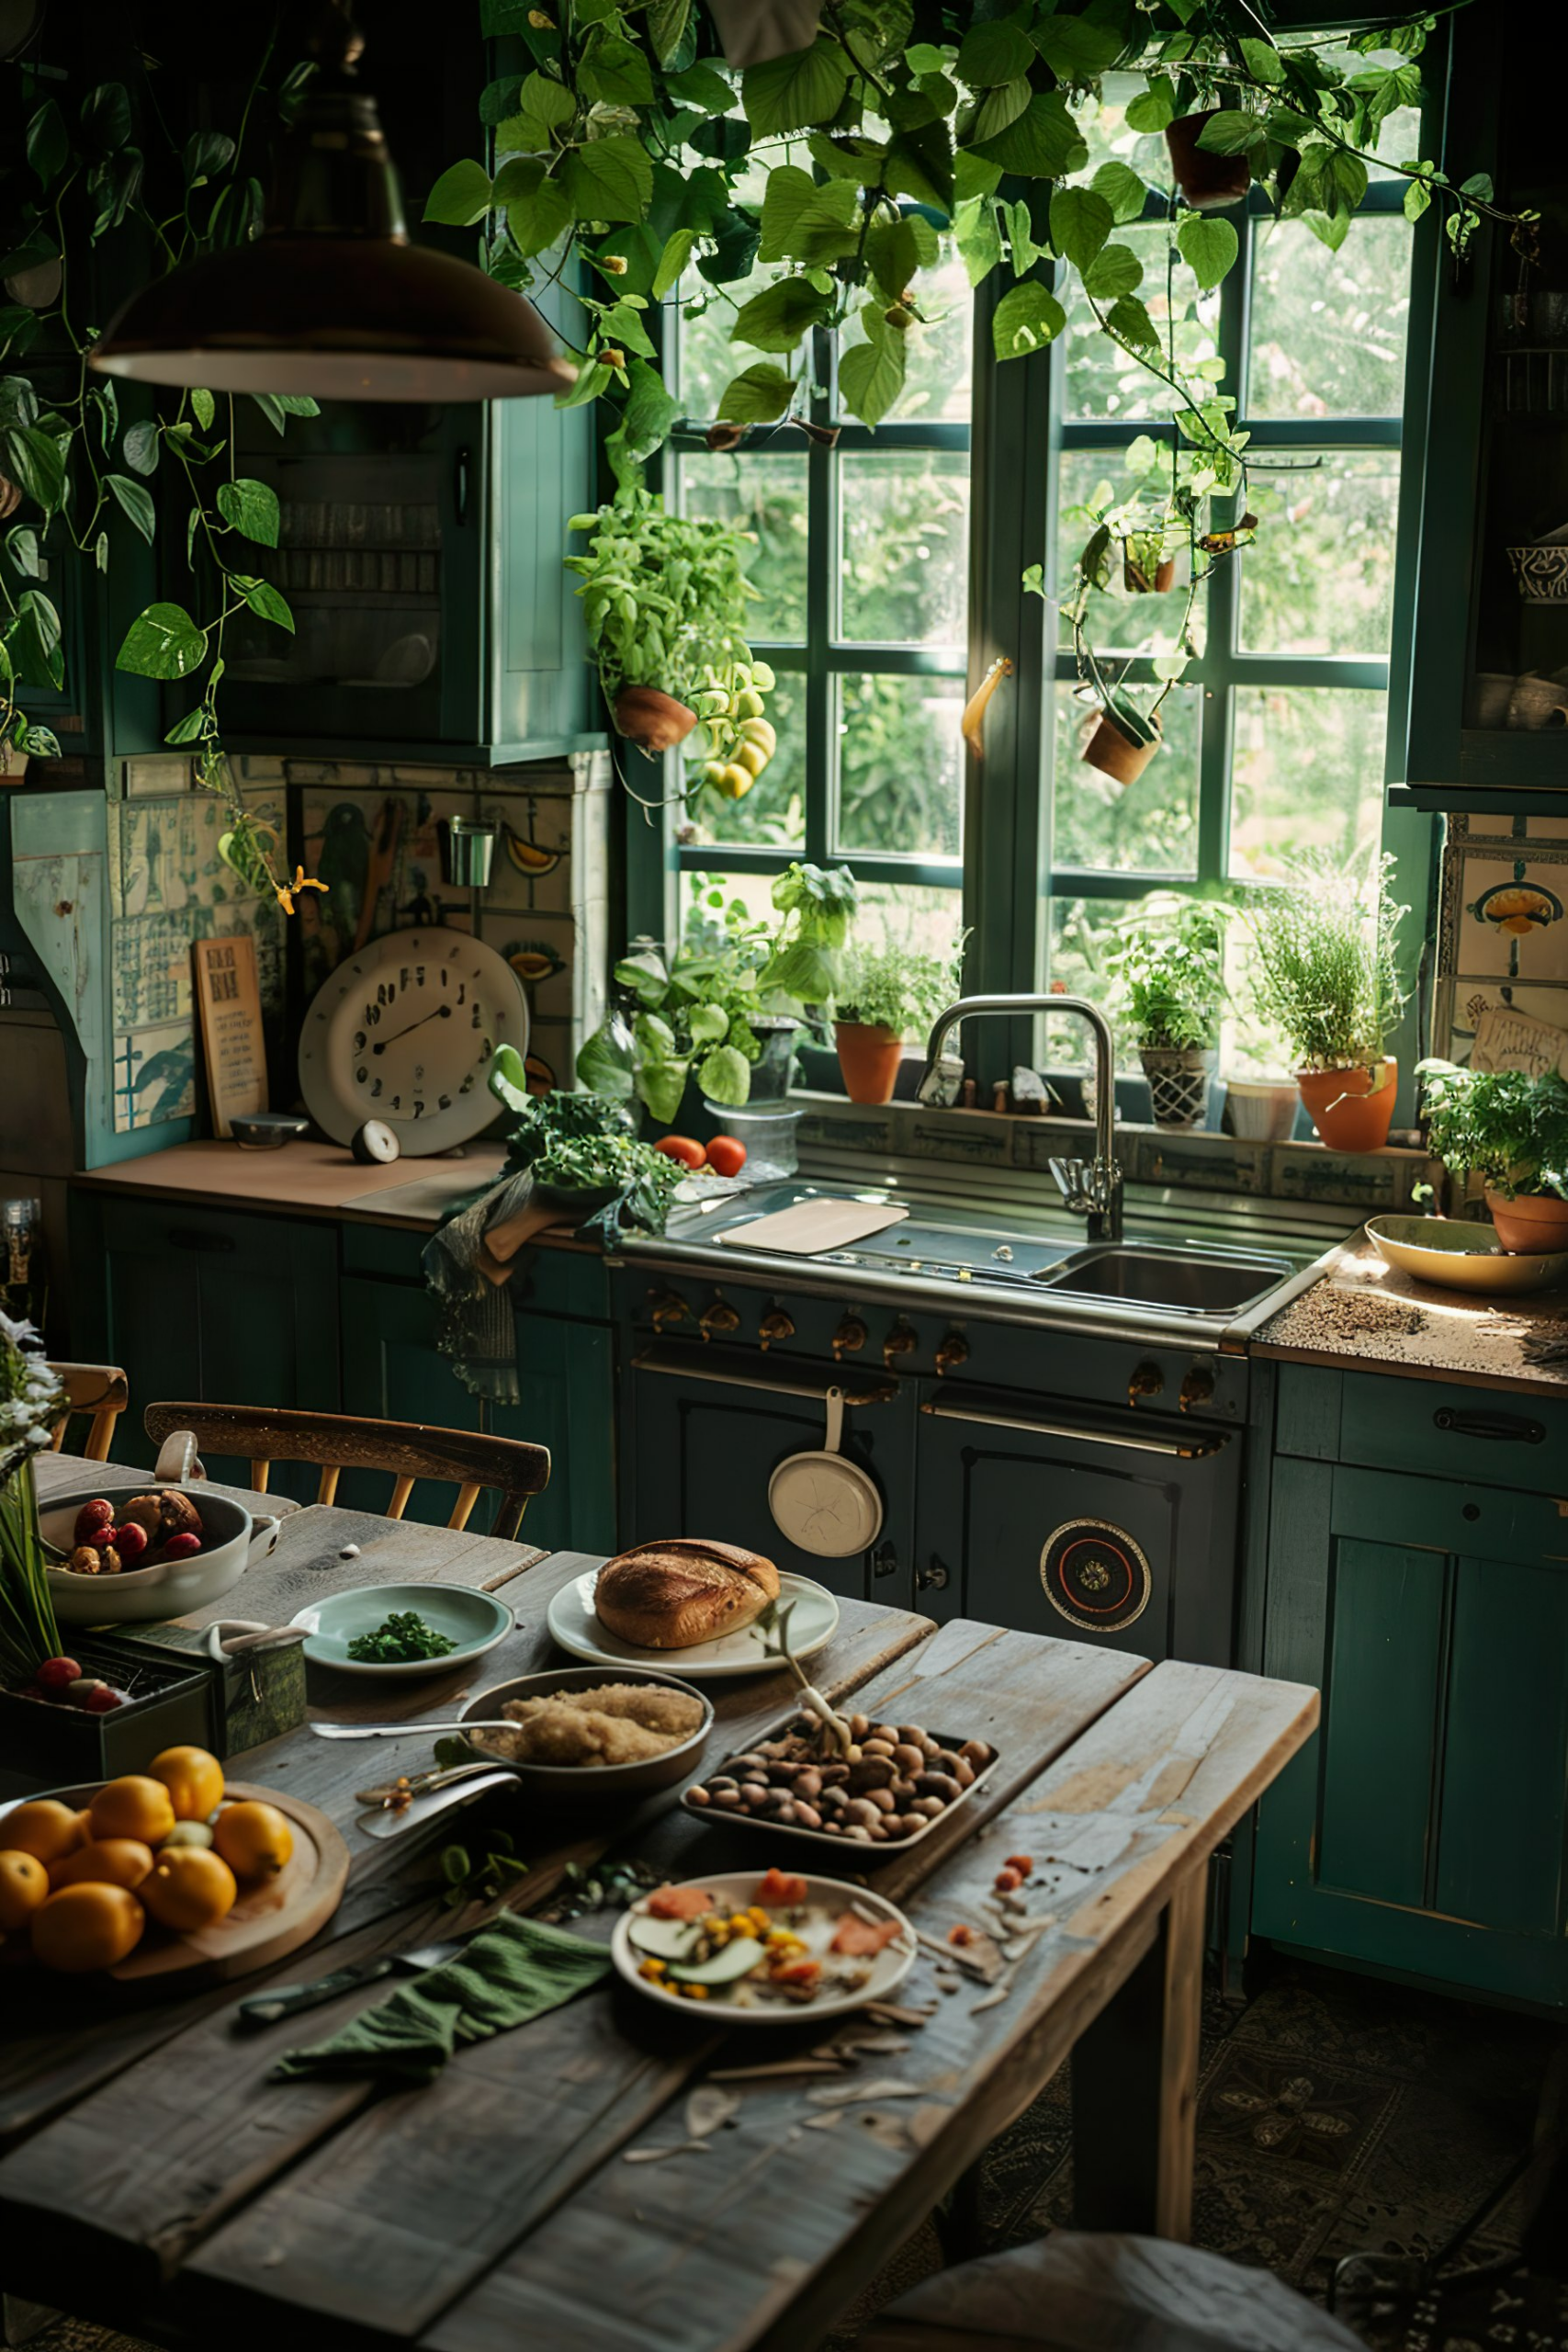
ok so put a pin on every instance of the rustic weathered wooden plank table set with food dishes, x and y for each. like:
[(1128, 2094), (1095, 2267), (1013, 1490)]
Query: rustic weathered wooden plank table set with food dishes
[(159, 2181)]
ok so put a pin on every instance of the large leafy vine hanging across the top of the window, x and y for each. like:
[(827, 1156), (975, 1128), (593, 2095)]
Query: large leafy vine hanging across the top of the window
[(636, 149)]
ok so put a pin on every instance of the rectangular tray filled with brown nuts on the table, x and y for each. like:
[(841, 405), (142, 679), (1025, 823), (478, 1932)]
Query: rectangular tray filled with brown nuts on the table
[(758, 1786)]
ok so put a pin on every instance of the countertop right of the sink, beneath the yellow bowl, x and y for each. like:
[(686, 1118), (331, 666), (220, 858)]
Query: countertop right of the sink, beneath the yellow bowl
[(1367, 1314)]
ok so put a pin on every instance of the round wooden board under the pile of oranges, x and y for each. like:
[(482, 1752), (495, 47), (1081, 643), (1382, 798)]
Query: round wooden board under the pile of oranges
[(269, 1920)]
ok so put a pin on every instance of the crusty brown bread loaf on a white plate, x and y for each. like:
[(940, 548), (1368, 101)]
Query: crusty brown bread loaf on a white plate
[(690, 1598)]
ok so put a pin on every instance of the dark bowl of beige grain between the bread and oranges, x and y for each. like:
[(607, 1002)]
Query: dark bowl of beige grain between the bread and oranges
[(594, 1735)]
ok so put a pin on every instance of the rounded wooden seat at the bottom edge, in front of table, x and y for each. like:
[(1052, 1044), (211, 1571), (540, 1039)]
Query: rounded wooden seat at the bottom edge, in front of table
[(1078, 2292)]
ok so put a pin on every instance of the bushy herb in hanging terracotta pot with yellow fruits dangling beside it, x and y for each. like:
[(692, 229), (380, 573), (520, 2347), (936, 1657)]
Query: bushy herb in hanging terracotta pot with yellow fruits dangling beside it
[(666, 601)]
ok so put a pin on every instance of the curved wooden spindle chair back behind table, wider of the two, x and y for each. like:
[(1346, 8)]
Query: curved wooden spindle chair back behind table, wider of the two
[(337, 1443)]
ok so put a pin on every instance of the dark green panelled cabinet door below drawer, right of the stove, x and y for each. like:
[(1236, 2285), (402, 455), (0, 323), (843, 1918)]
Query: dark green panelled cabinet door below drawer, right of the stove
[(1426, 1829)]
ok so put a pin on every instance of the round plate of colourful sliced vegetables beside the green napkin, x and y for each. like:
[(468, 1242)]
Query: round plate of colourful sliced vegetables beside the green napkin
[(765, 1946)]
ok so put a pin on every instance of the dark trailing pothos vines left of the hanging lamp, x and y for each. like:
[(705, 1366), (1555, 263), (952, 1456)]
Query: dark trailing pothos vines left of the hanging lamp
[(83, 474)]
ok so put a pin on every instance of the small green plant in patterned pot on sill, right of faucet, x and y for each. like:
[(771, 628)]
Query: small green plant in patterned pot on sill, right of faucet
[(1172, 980)]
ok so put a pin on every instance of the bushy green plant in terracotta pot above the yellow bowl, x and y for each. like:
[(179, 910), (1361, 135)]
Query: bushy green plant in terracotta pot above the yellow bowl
[(1510, 1130)]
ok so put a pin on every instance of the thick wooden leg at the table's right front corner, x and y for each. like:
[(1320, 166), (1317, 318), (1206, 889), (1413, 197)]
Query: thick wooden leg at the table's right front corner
[(1134, 2085)]
